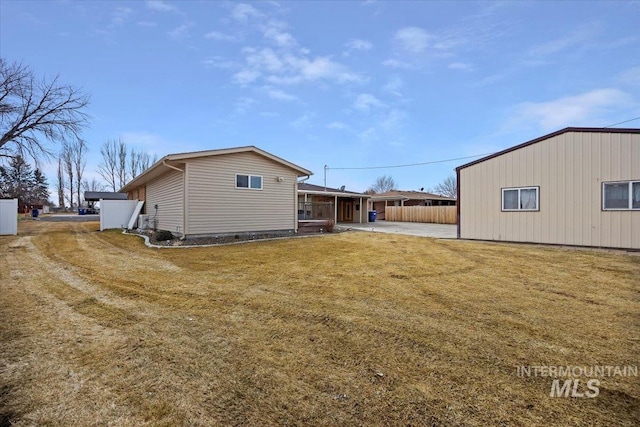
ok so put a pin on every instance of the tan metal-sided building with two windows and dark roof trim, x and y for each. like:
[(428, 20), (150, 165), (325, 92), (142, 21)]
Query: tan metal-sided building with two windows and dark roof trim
[(576, 186)]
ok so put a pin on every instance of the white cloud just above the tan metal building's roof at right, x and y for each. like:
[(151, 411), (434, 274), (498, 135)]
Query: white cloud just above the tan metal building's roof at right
[(587, 109)]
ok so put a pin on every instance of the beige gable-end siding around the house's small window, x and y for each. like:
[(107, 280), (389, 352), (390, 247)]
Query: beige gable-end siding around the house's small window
[(215, 205)]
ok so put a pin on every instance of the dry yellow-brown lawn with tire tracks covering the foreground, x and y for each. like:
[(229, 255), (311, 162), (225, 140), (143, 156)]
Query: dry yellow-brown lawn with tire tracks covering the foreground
[(347, 329)]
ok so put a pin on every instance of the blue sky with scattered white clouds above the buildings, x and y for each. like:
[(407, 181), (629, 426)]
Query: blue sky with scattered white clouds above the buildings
[(337, 83)]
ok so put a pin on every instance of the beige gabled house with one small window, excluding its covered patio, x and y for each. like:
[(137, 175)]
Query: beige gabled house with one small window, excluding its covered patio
[(224, 191)]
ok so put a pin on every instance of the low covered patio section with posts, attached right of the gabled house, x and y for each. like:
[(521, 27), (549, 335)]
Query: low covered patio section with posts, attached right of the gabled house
[(316, 202)]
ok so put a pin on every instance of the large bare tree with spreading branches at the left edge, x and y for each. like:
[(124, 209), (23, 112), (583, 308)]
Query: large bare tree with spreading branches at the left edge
[(34, 110)]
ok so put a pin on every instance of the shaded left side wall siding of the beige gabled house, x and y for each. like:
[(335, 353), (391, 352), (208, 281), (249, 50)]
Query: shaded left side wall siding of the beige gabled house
[(167, 191)]
